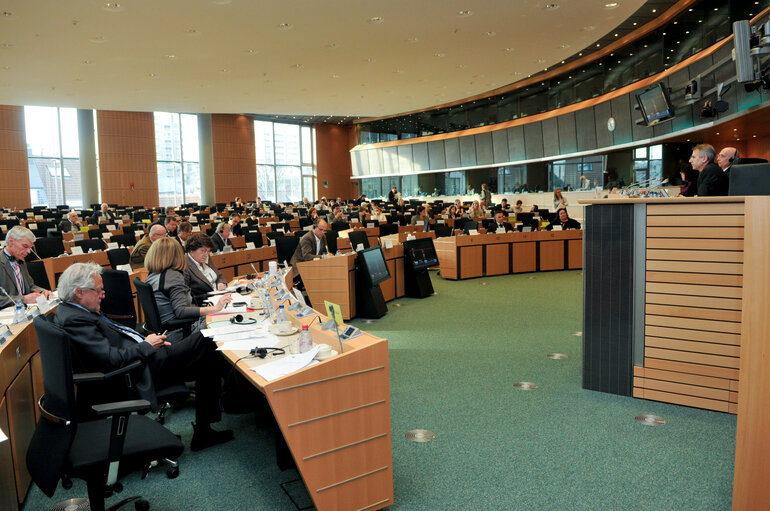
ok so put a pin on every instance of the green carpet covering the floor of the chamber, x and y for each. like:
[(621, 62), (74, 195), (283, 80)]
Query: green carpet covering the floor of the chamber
[(454, 358)]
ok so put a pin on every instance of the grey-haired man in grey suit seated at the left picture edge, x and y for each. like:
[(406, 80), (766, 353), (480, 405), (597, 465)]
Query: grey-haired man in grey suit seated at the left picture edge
[(14, 276)]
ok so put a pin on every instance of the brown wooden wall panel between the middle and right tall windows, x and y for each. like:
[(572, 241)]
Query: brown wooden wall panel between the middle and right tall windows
[(235, 170)]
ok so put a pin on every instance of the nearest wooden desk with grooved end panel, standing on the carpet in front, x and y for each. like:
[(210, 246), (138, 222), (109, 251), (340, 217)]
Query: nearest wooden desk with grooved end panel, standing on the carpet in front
[(335, 419)]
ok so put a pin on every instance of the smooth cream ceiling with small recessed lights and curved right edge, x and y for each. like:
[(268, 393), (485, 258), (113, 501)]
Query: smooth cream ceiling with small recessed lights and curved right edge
[(232, 56)]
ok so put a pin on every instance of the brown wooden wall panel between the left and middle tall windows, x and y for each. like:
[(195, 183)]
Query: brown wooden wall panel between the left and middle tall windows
[(127, 157)]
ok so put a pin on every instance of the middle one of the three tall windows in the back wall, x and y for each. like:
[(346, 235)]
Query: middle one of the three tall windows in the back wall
[(178, 158)]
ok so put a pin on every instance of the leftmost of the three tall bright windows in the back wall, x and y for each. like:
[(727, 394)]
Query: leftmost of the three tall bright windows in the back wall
[(53, 156)]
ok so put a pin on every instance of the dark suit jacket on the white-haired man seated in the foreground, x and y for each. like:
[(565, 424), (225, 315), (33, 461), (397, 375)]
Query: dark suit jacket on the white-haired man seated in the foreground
[(98, 346)]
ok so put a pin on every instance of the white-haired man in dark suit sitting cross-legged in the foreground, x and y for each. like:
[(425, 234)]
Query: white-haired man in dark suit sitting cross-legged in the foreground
[(99, 344)]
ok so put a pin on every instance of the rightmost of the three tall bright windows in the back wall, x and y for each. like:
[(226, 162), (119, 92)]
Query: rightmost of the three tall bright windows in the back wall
[(286, 165)]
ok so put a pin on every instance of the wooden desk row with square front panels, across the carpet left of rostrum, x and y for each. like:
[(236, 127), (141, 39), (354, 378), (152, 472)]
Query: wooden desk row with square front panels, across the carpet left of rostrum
[(477, 255)]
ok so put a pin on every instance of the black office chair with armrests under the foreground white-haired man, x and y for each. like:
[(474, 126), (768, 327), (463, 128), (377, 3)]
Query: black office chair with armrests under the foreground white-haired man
[(63, 447)]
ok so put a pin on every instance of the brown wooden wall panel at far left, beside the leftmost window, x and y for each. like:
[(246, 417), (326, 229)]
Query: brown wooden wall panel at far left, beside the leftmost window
[(15, 191)]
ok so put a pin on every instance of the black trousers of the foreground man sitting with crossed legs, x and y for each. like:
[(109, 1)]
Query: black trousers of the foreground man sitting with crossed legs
[(193, 358)]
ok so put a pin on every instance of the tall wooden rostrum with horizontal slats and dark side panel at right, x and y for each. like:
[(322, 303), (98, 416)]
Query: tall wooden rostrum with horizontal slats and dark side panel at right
[(675, 309)]
